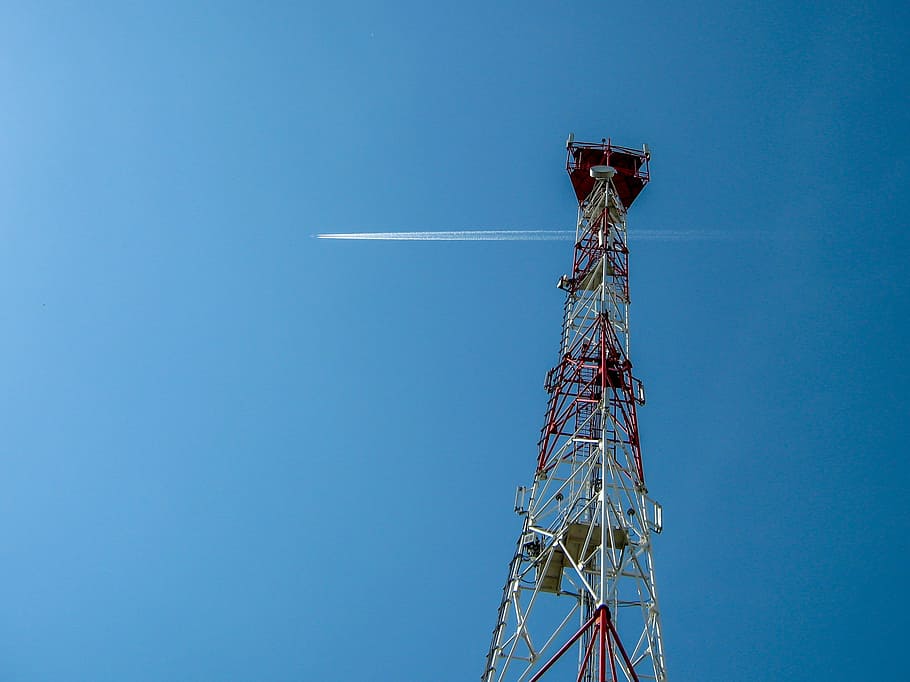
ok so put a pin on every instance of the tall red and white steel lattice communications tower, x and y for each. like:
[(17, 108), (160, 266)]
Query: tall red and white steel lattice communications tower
[(582, 575)]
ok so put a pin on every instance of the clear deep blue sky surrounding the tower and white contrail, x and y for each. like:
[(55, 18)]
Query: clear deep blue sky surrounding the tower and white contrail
[(229, 451)]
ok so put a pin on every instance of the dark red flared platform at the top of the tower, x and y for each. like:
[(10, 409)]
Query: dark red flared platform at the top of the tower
[(632, 170)]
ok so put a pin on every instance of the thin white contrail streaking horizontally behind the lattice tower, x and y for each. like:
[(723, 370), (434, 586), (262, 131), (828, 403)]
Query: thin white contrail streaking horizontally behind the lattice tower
[(521, 235)]
